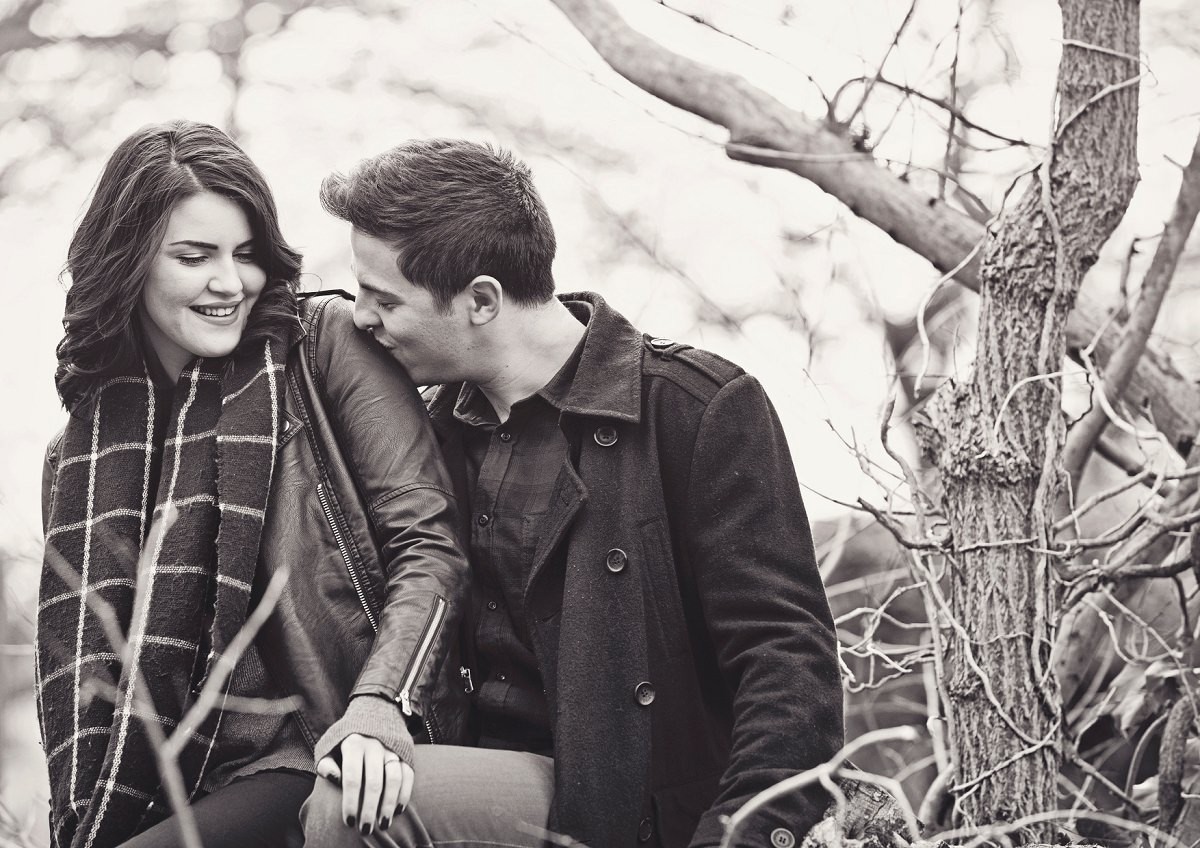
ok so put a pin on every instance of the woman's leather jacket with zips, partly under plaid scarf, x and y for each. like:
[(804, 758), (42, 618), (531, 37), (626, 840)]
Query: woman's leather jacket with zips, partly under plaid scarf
[(362, 514)]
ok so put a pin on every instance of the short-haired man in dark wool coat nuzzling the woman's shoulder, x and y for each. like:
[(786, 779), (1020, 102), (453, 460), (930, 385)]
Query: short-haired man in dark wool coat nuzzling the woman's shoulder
[(650, 643)]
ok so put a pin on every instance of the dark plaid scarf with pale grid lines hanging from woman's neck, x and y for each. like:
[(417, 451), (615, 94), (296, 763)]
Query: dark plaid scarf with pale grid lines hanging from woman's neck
[(137, 604)]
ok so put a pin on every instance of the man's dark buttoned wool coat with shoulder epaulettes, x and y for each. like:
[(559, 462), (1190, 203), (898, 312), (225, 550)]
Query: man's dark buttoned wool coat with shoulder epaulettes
[(677, 614)]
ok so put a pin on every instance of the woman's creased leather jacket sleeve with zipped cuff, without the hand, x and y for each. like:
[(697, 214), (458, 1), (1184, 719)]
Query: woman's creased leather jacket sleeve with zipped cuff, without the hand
[(388, 441)]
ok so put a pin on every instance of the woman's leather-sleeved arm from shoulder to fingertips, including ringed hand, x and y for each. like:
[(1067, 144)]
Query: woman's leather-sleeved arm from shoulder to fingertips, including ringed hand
[(387, 440)]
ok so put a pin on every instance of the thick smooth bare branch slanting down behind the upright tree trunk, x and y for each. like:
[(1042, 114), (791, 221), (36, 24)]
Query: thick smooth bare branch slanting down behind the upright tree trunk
[(761, 129)]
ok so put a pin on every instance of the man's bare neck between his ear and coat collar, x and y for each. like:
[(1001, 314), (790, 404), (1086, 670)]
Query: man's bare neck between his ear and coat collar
[(532, 352)]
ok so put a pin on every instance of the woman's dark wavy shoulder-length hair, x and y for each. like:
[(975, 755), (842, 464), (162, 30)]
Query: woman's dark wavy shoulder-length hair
[(117, 242)]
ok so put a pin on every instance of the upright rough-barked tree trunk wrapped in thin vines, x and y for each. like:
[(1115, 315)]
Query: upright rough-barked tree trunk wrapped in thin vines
[(998, 438)]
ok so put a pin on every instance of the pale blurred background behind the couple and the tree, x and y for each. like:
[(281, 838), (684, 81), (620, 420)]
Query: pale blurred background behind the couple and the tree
[(753, 263)]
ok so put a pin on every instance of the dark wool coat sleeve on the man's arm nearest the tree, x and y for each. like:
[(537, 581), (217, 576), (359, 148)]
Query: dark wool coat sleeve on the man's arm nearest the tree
[(766, 612)]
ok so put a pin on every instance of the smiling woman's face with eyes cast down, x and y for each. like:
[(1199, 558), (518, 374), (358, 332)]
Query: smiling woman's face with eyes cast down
[(203, 282)]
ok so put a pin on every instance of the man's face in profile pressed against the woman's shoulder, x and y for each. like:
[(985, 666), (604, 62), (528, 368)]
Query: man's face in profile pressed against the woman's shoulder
[(431, 344)]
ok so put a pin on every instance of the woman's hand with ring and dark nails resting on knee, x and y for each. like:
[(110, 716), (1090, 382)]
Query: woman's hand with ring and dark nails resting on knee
[(376, 784)]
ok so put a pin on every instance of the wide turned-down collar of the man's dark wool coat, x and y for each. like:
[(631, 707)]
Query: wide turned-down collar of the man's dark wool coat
[(608, 381)]
